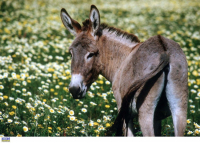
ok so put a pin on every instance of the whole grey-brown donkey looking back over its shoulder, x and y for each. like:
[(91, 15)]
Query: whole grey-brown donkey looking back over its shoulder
[(149, 79)]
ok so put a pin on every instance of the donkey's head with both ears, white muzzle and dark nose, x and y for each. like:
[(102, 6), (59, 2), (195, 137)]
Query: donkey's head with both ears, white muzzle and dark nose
[(84, 52)]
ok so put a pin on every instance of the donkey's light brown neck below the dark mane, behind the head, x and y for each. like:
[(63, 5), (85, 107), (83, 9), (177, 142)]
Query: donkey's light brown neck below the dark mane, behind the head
[(113, 49)]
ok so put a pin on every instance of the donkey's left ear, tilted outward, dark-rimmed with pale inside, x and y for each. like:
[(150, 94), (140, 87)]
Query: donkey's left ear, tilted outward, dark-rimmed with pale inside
[(73, 26)]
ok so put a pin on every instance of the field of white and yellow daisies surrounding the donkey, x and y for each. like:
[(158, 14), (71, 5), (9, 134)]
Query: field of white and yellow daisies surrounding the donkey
[(35, 64)]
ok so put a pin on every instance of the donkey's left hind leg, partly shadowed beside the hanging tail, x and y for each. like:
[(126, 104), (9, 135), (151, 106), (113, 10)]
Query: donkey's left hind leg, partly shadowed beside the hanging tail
[(147, 102)]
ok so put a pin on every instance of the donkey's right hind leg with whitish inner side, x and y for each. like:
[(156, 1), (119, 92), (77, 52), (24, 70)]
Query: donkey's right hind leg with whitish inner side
[(177, 96)]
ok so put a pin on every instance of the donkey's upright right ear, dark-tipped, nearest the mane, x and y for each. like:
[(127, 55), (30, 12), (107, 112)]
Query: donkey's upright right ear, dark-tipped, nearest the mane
[(94, 18)]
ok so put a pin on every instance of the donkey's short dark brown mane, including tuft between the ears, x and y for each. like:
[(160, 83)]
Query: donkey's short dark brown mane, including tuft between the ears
[(118, 32)]
